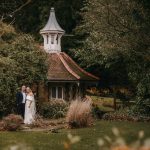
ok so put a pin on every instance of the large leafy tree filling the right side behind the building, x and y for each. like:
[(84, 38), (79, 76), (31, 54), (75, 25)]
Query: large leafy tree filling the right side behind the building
[(114, 36)]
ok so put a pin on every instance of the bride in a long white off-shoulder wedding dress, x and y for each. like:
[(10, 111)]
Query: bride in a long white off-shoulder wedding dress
[(30, 108)]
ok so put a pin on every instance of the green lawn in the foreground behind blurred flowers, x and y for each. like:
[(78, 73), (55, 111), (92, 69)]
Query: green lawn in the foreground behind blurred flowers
[(89, 136)]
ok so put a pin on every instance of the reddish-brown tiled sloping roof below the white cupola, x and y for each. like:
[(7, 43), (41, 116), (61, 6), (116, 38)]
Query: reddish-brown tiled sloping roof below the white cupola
[(63, 68)]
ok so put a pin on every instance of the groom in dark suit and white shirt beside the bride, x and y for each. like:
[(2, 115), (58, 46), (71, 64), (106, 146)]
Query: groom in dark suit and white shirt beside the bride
[(21, 98)]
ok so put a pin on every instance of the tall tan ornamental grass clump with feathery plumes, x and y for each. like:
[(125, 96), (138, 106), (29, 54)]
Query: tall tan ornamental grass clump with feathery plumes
[(79, 114)]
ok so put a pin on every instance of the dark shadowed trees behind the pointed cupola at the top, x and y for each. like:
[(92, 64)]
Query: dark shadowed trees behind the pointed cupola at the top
[(34, 15)]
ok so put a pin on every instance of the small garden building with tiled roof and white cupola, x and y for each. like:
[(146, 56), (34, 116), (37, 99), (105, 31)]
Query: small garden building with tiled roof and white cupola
[(65, 79)]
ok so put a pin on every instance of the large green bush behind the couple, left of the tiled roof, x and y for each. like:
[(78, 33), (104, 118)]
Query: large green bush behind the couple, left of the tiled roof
[(21, 62)]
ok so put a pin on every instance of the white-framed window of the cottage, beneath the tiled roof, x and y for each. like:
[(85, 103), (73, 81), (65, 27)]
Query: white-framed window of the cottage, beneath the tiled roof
[(57, 93)]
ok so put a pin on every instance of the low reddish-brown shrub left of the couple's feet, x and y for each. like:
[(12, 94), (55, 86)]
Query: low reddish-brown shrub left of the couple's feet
[(12, 122)]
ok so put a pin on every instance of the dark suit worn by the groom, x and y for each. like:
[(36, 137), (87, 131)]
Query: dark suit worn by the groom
[(20, 105)]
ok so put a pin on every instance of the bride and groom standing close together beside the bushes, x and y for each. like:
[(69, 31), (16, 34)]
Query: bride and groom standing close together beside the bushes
[(26, 104)]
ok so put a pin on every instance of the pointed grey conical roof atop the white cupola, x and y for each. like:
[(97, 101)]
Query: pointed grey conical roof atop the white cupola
[(52, 24)]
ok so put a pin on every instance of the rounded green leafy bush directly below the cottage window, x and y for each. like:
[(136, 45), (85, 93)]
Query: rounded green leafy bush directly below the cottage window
[(54, 109)]
